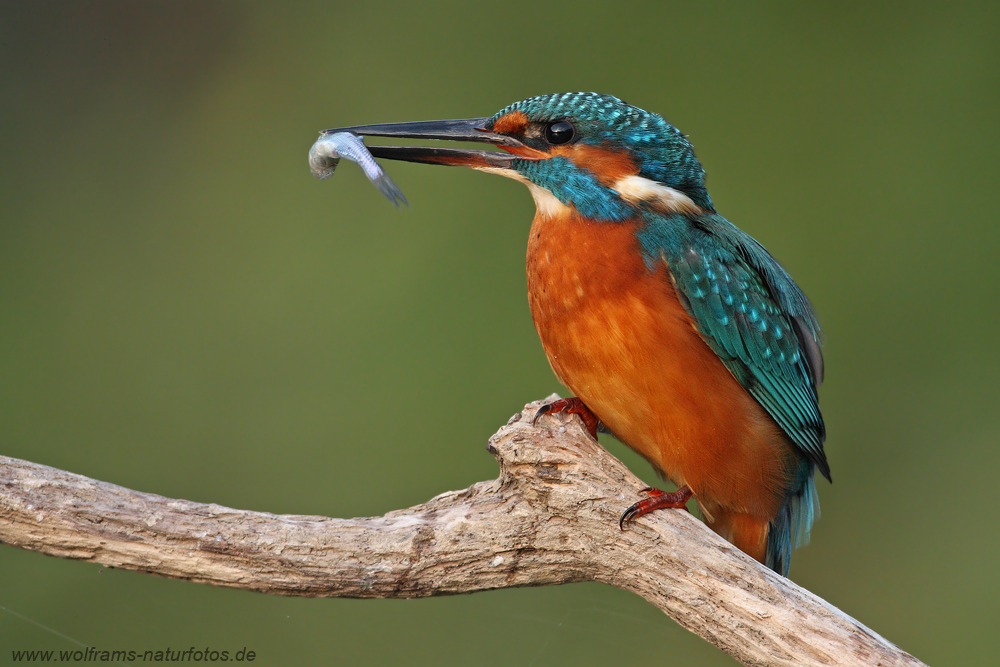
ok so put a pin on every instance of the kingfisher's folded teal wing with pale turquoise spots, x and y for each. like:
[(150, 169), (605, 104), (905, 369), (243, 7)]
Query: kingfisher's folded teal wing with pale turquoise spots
[(752, 314)]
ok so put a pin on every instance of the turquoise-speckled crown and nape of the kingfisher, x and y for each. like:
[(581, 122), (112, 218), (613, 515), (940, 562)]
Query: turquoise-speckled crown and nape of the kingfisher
[(661, 151)]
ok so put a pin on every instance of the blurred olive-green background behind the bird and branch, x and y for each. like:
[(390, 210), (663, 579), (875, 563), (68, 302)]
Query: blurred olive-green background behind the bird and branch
[(185, 310)]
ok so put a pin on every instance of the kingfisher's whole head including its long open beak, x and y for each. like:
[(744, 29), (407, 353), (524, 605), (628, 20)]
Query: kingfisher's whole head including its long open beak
[(584, 152)]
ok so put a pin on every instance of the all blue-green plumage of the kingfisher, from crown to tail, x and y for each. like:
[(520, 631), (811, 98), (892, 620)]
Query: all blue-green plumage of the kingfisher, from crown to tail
[(743, 303)]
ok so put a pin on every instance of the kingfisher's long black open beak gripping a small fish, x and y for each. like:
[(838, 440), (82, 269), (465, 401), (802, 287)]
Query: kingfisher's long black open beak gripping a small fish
[(471, 129)]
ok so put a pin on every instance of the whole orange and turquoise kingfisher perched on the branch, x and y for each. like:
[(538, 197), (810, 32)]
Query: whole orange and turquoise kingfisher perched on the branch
[(676, 331)]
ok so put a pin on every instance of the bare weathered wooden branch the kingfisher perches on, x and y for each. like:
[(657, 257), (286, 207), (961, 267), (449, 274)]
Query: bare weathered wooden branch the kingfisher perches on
[(550, 518)]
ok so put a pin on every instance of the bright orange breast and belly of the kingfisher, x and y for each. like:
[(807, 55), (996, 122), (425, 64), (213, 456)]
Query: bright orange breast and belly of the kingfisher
[(616, 334)]
